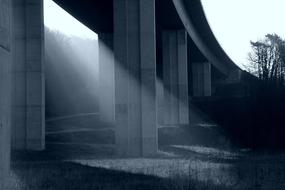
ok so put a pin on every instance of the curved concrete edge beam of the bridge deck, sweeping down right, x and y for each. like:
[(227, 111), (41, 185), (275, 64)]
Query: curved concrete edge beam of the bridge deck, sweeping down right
[(192, 15)]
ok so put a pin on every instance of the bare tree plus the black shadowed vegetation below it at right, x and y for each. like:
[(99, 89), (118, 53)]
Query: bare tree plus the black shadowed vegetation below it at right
[(255, 119)]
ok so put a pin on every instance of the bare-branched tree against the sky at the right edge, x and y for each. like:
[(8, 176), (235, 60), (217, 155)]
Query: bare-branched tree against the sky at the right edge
[(267, 59)]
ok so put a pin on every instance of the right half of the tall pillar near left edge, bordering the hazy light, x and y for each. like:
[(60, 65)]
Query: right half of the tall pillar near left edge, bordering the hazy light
[(35, 116)]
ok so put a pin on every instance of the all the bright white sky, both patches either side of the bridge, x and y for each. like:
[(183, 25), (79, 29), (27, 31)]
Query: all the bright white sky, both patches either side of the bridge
[(234, 23)]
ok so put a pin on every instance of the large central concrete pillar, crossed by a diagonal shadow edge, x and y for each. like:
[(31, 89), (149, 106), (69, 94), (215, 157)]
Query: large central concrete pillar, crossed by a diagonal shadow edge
[(135, 77)]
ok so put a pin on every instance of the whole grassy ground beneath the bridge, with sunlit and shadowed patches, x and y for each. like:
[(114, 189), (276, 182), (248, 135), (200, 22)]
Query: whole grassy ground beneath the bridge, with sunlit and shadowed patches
[(190, 157)]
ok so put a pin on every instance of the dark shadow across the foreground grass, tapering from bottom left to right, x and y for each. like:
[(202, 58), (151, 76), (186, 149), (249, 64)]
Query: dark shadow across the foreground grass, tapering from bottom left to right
[(71, 176)]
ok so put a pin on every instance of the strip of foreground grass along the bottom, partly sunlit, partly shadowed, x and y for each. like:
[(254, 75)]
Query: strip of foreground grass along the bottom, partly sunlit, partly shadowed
[(151, 174)]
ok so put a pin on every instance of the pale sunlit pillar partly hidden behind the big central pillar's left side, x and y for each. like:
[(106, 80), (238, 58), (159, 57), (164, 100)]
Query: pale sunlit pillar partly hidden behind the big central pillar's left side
[(106, 79)]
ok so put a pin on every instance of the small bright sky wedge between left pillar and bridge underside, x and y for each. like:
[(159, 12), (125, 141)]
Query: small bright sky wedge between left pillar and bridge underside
[(57, 18)]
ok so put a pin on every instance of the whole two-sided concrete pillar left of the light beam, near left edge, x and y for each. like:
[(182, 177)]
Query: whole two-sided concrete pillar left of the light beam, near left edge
[(28, 109)]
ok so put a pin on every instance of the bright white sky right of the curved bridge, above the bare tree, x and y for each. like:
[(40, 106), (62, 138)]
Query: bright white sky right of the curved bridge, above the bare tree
[(236, 22)]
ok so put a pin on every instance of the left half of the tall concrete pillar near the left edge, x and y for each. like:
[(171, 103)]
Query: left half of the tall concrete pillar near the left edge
[(19, 76)]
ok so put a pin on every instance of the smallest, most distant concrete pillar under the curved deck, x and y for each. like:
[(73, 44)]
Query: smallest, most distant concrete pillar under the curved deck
[(201, 73)]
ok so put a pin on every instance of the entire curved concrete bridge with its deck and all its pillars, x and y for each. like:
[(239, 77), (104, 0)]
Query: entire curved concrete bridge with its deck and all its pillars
[(152, 40)]
